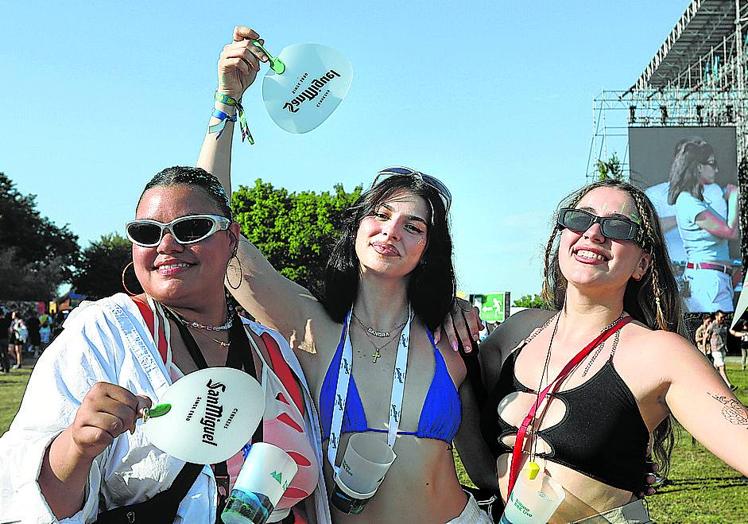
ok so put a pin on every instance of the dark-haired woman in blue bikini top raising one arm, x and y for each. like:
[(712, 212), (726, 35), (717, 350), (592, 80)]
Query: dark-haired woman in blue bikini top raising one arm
[(388, 285)]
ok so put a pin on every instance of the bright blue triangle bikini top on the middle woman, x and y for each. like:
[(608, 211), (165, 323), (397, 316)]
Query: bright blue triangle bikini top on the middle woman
[(440, 415)]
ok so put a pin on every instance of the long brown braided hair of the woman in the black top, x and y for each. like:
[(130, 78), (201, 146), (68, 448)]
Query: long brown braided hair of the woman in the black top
[(654, 300)]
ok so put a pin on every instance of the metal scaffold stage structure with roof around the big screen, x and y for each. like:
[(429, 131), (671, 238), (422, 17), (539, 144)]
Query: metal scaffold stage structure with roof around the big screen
[(697, 78)]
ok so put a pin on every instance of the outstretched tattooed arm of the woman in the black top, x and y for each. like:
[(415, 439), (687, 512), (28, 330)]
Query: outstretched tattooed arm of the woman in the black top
[(700, 400)]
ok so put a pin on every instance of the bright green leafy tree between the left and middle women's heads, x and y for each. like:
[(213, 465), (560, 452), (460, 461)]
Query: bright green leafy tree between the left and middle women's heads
[(295, 231)]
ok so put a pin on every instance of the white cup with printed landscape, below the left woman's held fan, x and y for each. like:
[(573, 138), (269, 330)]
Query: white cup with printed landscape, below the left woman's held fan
[(265, 475)]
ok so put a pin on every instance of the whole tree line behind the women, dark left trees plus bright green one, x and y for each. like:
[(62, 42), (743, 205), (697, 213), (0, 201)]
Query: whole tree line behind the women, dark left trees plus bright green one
[(294, 230)]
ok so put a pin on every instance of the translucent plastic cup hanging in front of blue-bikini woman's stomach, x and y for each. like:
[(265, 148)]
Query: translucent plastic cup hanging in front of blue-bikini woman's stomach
[(365, 463)]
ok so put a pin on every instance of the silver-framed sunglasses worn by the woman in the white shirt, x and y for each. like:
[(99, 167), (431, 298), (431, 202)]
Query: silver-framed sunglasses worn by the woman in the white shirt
[(185, 230)]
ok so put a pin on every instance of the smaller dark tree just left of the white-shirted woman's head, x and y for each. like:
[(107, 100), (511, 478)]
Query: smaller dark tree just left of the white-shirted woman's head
[(99, 272)]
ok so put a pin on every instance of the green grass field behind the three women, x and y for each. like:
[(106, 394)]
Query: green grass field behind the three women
[(702, 488)]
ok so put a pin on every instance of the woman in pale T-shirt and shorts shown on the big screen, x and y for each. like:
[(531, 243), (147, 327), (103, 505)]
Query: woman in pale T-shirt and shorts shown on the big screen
[(704, 230)]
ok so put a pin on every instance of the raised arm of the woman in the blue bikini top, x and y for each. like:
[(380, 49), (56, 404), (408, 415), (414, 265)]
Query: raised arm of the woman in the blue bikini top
[(260, 289)]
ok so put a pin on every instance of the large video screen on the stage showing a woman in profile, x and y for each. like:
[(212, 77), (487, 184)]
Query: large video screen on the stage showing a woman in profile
[(690, 175)]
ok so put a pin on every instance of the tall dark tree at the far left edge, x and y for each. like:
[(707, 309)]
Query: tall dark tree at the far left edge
[(36, 255)]
